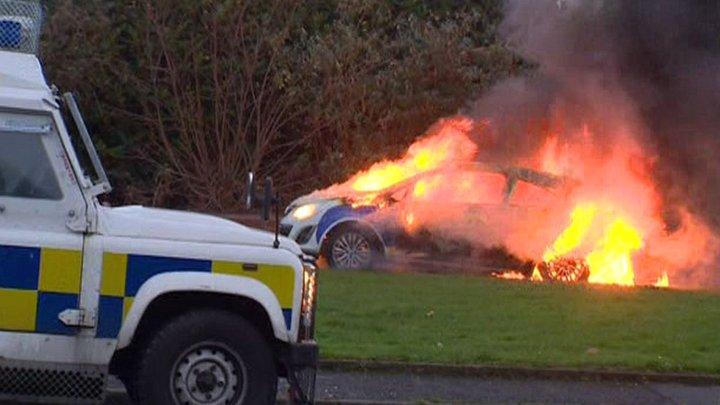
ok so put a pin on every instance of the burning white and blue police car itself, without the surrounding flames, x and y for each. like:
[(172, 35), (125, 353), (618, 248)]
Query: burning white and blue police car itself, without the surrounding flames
[(352, 231)]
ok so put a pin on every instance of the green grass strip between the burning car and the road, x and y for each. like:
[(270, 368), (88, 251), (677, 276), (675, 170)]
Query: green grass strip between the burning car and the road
[(468, 320)]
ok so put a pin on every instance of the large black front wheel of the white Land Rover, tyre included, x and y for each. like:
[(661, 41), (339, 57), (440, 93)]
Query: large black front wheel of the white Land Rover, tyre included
[(207, 357)]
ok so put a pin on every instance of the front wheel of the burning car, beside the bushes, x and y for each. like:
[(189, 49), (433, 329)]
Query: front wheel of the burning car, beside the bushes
[(351, 247)]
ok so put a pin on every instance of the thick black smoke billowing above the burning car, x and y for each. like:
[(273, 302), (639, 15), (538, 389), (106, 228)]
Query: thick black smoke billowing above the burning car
[(652, 63)]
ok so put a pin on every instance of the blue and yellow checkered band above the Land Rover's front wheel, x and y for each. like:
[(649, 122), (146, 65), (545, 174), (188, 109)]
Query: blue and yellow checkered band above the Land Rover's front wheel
[(124, 274)]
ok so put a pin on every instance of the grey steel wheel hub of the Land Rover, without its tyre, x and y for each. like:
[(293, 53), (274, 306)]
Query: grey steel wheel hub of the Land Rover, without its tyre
[(208, 375)]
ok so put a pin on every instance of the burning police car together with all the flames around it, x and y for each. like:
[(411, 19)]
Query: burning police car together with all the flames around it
[(572, 208)]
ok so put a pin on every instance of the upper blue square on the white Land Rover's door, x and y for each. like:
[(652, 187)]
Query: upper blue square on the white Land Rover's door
[(19, 267)]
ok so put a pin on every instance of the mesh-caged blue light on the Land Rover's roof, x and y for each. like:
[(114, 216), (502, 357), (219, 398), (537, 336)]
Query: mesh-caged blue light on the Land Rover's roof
[(20, 25)]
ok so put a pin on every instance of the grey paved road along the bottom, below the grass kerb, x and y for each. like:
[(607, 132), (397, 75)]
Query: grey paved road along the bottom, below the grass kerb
[(354, 387)]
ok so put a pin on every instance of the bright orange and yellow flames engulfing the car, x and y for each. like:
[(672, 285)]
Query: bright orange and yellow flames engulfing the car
[(607, 214)]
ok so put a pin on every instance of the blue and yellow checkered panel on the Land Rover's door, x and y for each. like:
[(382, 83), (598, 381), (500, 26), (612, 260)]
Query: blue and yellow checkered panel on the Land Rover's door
[(36, 285)]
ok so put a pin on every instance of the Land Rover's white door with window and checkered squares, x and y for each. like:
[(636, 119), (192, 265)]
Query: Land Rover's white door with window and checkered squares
[(41, 257)]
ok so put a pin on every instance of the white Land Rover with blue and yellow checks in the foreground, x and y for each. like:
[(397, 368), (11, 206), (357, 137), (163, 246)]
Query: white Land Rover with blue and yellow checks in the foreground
[(185, 308)]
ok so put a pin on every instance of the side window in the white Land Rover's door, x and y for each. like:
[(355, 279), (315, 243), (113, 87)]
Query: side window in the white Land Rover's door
[(25, 168)]
